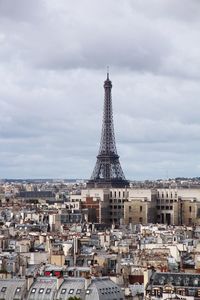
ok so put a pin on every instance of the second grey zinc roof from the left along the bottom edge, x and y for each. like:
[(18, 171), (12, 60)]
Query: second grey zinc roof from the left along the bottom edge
[(44, 288)]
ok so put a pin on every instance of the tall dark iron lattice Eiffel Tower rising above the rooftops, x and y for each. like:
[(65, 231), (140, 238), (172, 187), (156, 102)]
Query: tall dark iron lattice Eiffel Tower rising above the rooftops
[(107, 171)]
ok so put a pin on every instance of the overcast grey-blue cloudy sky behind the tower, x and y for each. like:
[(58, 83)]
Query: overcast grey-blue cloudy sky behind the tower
[(53, 58)]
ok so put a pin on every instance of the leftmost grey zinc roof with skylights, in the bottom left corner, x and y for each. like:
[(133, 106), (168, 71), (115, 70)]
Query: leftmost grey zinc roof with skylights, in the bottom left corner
[(12, 289)]
